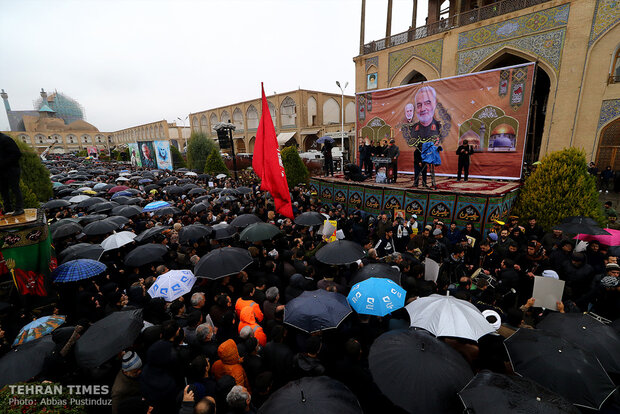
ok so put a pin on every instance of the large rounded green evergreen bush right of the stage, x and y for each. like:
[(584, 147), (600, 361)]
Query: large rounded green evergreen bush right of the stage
[(560, 187)]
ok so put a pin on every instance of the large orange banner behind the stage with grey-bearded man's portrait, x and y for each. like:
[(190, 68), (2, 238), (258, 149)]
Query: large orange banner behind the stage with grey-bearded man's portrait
[(489, 110)]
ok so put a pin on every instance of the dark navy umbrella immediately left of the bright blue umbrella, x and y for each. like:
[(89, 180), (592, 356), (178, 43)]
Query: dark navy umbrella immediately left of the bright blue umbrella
[(316, 310)]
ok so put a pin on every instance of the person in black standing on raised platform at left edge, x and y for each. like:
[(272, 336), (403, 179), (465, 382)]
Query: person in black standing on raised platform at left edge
[(9, 175)]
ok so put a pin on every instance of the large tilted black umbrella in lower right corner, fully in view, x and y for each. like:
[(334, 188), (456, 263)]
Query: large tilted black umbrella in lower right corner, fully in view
[(559, 365)]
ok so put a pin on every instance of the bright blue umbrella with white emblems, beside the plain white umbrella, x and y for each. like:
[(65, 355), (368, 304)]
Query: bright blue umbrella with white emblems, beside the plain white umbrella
[(376, 297)]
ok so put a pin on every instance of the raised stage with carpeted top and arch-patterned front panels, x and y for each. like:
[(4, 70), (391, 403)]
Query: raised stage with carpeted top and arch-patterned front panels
[(478, 201)]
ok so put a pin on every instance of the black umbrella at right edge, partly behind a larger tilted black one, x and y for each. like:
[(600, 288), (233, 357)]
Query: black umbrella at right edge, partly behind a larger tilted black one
[(590, 334)]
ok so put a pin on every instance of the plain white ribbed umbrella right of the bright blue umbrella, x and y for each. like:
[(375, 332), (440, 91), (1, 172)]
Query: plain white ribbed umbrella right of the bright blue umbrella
[(448, 316)]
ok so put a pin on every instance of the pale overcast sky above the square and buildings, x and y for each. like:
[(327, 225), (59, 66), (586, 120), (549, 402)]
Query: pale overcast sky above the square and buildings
[(133, 62)]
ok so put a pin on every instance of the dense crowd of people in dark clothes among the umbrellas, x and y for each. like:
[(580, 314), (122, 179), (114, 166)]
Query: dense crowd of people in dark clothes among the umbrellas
[(224, 347)]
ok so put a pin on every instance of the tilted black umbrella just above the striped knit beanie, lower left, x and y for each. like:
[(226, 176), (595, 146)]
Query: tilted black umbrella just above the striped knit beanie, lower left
[(107, 337)]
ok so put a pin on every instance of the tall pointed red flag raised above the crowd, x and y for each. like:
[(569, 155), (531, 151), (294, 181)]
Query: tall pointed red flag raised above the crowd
[(267, 162)]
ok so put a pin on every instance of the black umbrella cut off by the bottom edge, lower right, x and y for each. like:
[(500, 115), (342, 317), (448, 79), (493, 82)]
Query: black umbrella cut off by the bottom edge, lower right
[(492, 393)]
